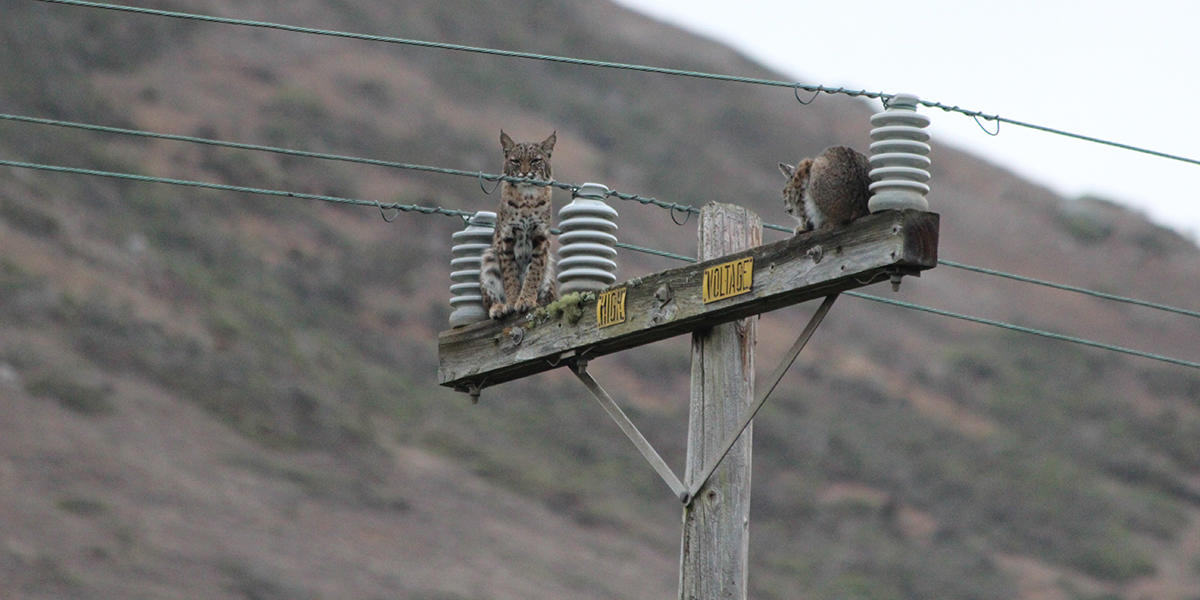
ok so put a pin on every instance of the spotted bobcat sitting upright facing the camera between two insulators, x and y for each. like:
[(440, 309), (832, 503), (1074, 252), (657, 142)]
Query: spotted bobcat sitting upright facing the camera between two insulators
[(518, 272)]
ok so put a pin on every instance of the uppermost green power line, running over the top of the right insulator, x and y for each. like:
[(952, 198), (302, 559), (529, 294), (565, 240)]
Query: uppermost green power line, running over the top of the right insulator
[(602, 64)]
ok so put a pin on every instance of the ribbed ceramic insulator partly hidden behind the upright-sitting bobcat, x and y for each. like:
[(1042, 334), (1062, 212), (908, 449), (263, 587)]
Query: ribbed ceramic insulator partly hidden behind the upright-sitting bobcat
[(466, 302)]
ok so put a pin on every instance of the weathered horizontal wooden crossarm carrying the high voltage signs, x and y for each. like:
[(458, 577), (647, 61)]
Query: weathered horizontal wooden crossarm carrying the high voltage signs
[(670, 303)]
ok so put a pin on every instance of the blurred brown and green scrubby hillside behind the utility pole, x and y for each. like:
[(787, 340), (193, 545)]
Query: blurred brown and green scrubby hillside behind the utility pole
[(227, 397)]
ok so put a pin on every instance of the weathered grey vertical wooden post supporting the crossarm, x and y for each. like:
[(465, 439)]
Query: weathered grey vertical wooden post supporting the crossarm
[(717, 524)]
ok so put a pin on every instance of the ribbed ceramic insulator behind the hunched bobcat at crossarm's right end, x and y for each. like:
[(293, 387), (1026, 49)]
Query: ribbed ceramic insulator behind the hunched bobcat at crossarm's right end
[(899, 157)]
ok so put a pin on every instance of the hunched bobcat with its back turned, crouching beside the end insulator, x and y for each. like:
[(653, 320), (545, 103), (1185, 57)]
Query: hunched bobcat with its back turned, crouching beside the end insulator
[(829, 191)]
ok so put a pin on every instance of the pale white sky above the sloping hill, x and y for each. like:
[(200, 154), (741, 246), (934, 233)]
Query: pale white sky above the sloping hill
[(1114, 70)]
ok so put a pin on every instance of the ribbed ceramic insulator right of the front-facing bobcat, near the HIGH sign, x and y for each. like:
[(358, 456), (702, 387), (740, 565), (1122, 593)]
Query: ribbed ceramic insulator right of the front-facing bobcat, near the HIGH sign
[(587, 245)]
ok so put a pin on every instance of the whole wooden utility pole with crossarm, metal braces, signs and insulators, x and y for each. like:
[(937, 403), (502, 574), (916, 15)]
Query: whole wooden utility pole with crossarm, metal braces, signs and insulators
[(737, 278)]
